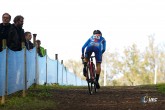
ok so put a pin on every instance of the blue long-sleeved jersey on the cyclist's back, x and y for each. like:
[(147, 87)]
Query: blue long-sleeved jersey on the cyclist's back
[(98, 43)]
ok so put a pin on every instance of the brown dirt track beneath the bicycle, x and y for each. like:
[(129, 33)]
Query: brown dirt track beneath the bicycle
[(110, 98)]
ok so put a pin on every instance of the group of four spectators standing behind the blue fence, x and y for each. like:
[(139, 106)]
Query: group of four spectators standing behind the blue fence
[(14, 35)]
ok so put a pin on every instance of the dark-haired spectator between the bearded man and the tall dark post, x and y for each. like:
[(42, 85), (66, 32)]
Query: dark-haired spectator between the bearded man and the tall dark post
[(29, 45)]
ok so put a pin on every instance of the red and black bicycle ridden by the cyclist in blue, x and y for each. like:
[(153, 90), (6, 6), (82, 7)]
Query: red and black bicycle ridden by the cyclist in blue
[(91, 76)]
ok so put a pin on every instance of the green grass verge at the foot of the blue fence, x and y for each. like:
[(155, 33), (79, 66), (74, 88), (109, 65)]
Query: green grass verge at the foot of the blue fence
[(36, 99)]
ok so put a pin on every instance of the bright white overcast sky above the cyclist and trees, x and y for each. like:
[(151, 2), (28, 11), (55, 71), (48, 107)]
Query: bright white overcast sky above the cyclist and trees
[(63, 26)]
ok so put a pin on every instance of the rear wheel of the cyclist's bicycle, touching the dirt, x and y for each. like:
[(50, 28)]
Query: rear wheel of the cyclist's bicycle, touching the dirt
[(90, 82)]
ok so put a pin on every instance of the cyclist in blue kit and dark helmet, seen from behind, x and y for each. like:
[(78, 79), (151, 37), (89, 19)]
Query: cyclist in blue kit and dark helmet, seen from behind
[(97, 44)]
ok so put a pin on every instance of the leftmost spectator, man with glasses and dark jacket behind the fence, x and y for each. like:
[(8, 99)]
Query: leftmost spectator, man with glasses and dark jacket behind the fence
[(4, 28)]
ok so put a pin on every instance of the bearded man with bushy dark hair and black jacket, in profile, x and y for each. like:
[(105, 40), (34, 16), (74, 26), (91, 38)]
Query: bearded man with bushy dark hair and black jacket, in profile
[(16, 34)]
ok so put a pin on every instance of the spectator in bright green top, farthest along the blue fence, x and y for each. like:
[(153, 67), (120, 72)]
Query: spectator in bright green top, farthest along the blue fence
[(40, 50)]
